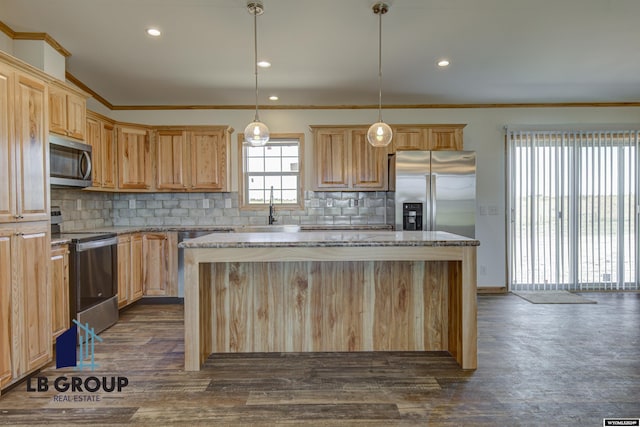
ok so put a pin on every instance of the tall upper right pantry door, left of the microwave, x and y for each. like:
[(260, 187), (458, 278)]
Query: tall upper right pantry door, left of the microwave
[(32, 149)]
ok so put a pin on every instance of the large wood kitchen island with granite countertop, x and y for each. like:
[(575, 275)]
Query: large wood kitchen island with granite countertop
[(331, 291)]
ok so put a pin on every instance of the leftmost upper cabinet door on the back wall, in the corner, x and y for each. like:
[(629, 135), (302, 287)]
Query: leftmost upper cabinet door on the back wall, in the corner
[(134, 169)]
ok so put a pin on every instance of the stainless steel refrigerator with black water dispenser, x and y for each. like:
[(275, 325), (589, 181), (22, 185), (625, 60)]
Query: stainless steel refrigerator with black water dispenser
[(435, 190)]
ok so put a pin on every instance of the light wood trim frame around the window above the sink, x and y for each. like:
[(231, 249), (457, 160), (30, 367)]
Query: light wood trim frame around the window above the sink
[(243, 203)]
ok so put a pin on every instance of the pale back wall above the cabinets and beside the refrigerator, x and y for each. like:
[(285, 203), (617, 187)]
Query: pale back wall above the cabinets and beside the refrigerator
[(484, 133)]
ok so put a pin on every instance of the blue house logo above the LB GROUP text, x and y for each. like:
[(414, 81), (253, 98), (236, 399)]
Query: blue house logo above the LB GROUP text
[(67, 351)]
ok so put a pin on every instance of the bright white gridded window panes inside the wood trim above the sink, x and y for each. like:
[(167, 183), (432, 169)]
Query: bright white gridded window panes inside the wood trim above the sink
[(275, 167)]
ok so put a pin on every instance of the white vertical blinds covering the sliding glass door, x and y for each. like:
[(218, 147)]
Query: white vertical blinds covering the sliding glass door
[(573, 209)]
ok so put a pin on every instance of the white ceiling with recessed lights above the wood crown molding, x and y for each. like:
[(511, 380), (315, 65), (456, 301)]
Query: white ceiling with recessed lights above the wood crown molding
[(325, 52)]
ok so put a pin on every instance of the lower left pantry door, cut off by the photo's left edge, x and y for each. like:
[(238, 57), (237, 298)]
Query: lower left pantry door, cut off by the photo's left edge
[(5, 306)]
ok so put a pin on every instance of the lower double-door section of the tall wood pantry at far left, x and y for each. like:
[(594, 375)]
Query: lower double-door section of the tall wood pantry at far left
[(25, 299)]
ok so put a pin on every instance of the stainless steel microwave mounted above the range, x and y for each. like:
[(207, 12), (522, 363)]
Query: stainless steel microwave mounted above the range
[(69, 162)]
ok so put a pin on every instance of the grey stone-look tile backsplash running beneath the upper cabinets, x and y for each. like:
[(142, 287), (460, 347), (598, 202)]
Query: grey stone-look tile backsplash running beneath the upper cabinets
[(87, 209)]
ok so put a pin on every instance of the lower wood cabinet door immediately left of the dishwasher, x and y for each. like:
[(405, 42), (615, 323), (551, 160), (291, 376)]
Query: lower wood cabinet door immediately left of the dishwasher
[(155, 264)]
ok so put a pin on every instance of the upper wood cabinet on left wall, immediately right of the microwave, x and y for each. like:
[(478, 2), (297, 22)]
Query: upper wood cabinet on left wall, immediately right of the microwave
[(100, 135)]
